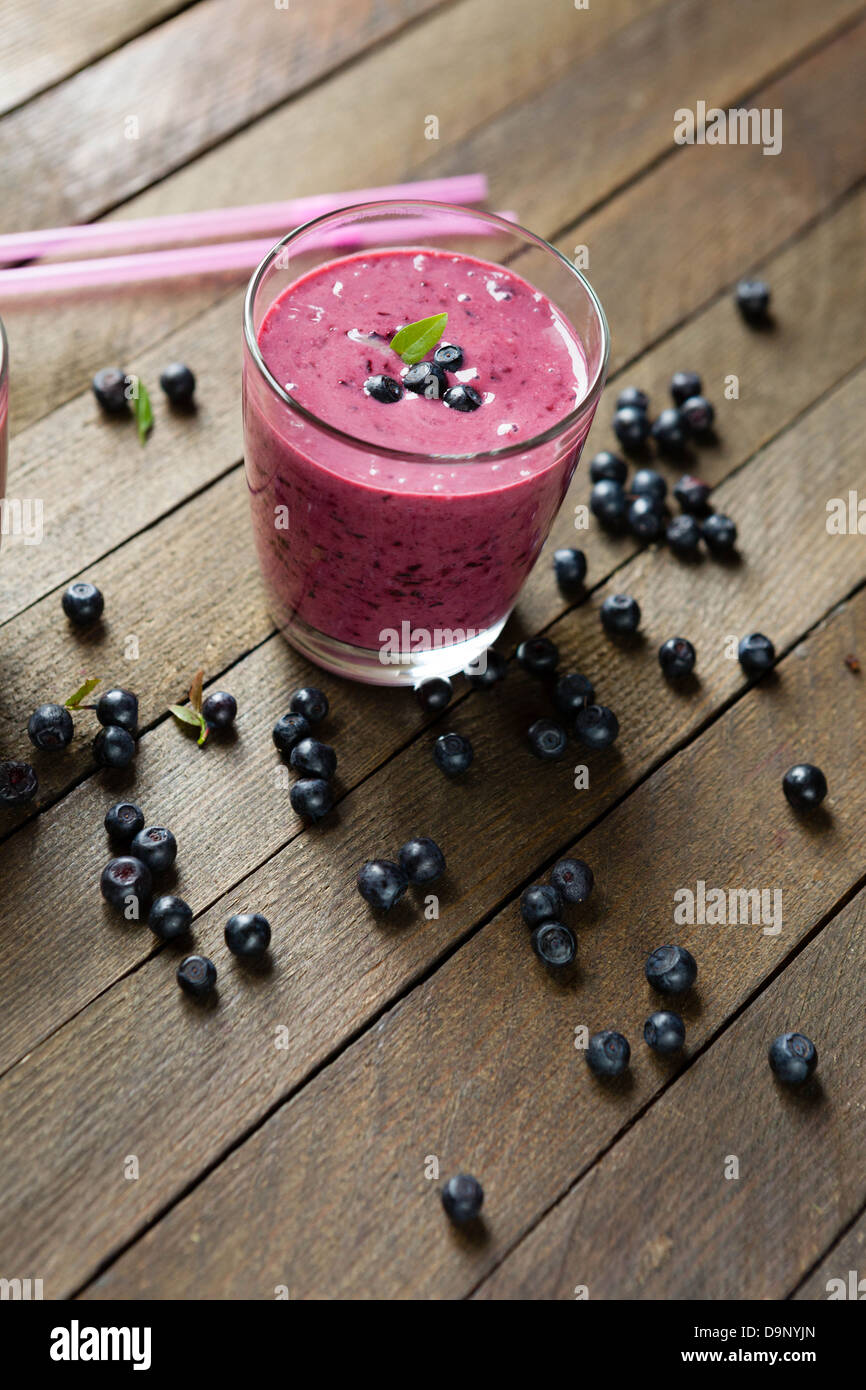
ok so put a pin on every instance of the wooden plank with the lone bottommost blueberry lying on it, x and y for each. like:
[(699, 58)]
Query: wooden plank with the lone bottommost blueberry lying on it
[(479, 1065)]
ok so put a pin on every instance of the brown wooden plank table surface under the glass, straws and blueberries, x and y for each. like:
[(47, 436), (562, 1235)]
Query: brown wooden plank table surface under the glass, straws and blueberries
[(286, 1138)]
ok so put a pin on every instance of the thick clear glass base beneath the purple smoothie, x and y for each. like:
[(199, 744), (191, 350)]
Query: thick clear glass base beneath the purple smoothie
[(376, 668)]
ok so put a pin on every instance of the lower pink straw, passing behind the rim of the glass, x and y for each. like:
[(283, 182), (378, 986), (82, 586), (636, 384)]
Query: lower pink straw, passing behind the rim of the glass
[(218, 258)]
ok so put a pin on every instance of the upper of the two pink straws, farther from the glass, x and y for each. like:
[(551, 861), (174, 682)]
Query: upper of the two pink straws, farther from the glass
[(227, 222)]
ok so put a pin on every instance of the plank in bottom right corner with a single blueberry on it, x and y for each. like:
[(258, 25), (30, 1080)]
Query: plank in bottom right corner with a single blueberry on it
[(685, 1227)]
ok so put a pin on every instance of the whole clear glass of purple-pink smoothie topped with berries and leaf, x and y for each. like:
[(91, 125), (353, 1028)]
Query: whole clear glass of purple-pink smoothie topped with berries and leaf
[(398, 504)]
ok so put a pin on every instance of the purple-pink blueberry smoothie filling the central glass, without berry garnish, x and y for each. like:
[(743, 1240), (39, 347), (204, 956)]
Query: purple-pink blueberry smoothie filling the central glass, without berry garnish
[(355, 540)]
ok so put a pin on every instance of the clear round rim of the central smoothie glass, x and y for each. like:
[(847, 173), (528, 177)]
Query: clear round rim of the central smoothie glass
[(587, 402)]
